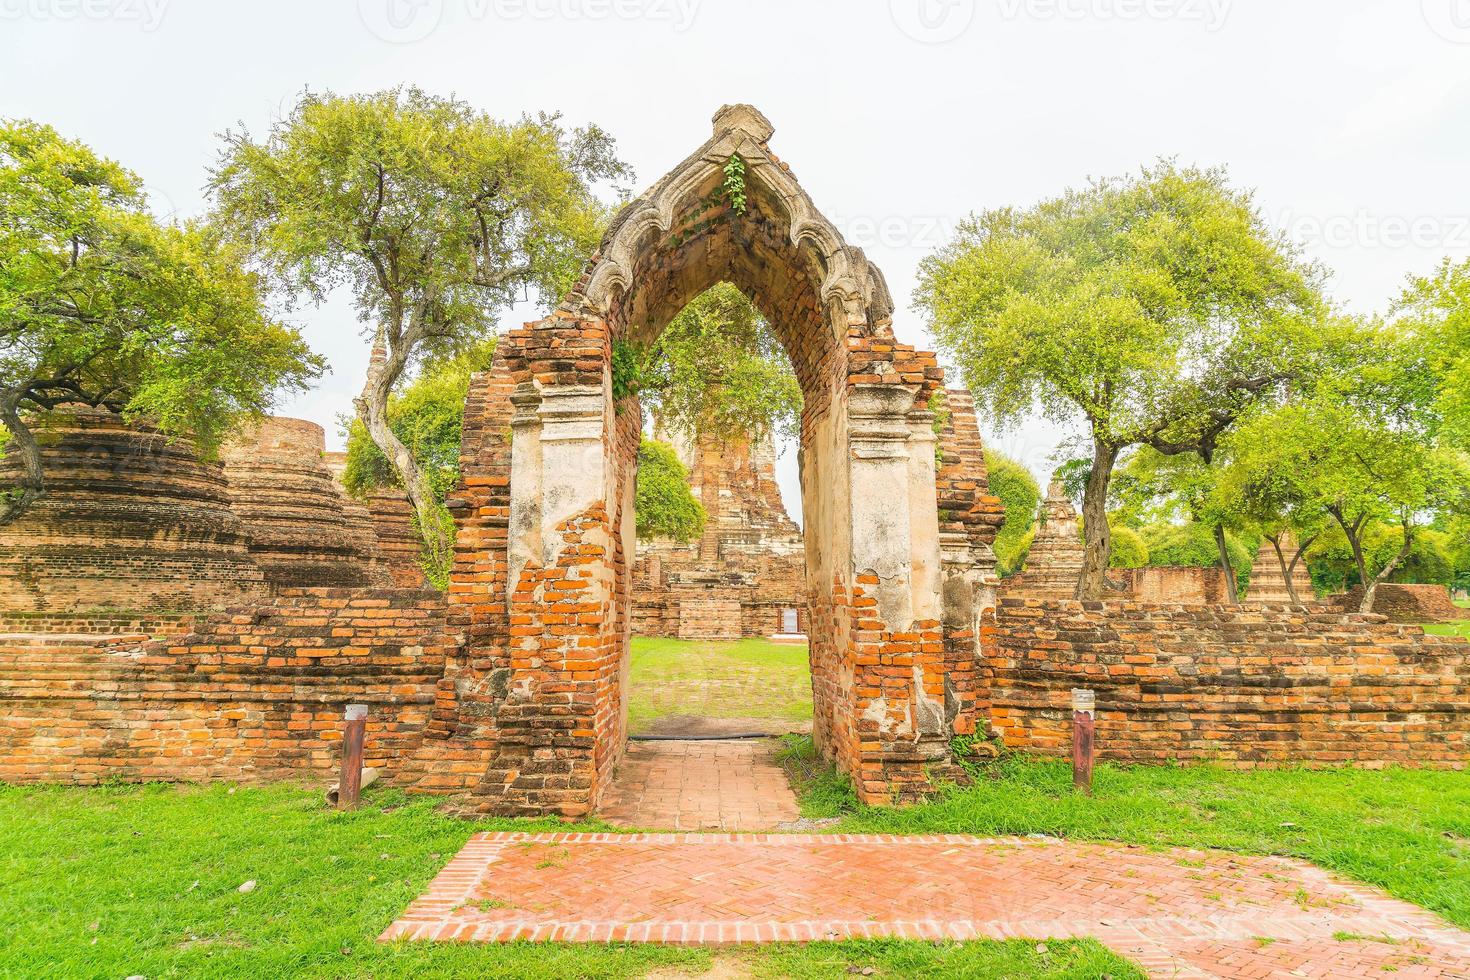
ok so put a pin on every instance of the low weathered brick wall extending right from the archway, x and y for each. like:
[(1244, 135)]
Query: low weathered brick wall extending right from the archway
[(1256, 687)]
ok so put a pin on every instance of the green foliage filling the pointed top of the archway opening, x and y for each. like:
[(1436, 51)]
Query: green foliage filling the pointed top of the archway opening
[(720, 370)]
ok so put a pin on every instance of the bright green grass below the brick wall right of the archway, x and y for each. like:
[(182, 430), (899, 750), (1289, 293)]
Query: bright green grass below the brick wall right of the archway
[(1405, 831)]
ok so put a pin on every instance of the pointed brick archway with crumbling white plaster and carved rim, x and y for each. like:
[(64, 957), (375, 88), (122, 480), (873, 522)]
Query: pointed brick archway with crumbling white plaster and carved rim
[(542, 583)]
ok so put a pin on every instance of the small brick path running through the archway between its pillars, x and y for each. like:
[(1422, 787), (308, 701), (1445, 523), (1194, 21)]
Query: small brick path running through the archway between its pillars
[(700, 787)]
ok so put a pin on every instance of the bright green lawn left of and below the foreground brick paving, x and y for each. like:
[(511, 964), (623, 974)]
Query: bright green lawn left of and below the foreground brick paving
[(146, 881)]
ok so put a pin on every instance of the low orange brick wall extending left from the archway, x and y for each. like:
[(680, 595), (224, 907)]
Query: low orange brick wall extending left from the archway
[(252, 696)]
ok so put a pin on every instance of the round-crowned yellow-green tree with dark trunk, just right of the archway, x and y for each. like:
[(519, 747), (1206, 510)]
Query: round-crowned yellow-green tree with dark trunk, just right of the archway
[(1156, 309)]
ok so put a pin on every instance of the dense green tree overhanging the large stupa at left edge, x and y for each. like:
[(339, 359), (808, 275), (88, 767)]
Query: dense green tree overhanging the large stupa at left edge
[(105, 306)]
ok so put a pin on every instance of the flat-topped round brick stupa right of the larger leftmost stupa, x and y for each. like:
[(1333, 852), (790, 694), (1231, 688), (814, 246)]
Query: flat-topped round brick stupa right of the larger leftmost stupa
[(305, 533)]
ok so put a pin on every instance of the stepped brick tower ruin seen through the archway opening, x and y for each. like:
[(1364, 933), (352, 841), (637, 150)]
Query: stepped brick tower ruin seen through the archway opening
[(746, 577)]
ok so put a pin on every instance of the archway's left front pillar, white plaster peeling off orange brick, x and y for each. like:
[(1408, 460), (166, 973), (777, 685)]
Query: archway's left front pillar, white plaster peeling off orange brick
[(561, 725)]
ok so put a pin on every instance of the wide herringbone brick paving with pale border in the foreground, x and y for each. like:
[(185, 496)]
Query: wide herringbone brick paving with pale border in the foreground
[(1175, 913)]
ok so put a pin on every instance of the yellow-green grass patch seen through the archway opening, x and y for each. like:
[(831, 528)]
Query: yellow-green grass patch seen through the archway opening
[(742, 680)]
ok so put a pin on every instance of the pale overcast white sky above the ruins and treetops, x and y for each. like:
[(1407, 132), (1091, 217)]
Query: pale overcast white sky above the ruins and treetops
[(1350, 118)]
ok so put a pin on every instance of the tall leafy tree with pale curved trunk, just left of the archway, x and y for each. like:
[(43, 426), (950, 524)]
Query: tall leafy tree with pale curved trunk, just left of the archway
[(436, 217)]
